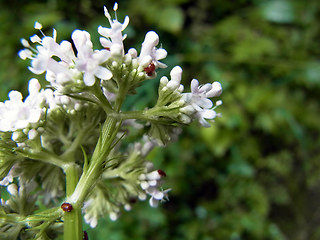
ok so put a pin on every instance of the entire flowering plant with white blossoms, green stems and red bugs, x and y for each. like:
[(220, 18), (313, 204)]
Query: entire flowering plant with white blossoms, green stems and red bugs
[(64, 157)]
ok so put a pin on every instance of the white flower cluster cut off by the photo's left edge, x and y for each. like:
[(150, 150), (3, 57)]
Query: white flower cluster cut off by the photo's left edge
[(24, 119)]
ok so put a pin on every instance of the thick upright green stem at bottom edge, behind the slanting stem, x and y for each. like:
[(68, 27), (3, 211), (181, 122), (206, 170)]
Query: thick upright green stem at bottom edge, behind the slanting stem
[(72, 219)]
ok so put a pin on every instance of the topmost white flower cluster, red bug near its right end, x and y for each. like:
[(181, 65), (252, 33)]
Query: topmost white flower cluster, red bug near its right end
[(63, 66)]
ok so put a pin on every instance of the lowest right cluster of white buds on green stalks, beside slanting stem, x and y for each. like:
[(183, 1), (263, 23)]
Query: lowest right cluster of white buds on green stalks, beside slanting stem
[(138, 180)]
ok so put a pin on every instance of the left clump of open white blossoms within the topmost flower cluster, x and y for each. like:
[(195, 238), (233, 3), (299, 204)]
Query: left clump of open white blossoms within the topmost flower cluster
[(60, 62)]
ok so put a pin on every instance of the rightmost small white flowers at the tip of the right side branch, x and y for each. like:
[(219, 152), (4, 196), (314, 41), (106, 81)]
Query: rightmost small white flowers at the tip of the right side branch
[(197, 102)]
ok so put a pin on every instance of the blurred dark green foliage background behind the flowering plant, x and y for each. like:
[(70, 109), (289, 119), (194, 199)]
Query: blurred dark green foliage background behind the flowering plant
[(255, 173)]
